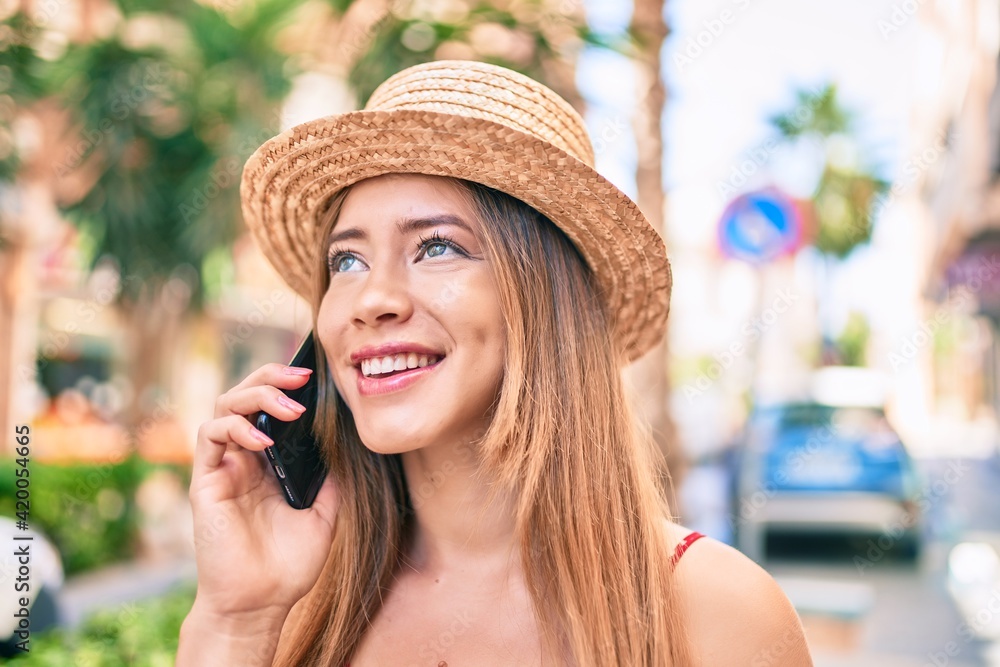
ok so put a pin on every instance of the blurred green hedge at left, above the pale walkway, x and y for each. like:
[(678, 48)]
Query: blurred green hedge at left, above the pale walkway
[(87, 510)]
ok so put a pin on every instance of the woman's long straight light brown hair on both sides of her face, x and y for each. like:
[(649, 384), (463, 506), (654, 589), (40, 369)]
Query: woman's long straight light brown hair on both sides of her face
[(590, 516)]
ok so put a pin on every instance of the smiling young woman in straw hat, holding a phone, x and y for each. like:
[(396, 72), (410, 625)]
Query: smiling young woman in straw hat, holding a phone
[(477, 287)]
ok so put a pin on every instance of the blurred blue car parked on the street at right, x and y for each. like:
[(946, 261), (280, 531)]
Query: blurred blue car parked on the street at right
[(813, 468)]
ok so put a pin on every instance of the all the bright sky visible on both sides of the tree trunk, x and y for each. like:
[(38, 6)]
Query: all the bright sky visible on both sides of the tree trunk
[(730, 64)]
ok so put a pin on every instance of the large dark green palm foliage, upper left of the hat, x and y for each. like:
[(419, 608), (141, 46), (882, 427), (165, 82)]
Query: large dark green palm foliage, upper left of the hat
[(165, 127)]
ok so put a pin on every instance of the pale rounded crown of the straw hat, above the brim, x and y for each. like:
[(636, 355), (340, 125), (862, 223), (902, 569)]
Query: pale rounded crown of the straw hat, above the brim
[(474, 90)]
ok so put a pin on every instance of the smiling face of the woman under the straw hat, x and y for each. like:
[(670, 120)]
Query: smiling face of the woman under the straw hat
[(411, 324)]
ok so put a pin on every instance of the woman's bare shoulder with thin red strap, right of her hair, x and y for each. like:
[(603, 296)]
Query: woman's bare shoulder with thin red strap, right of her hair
[(735, 612)]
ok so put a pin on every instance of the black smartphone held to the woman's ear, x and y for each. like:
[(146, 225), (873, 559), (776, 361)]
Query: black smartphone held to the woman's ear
[(296, 456)]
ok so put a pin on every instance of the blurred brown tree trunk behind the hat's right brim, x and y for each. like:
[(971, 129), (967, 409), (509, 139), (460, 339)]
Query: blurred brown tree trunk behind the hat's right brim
[(649, 375)]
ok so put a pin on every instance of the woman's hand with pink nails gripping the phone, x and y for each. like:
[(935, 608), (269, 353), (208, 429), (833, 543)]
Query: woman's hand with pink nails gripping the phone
[(256, 555)]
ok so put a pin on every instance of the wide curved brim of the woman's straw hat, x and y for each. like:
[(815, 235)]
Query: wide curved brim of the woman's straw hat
[(288, 180)]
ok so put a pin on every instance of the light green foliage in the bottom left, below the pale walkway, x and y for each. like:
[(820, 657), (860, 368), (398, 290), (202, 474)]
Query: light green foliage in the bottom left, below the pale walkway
[(133, 635)]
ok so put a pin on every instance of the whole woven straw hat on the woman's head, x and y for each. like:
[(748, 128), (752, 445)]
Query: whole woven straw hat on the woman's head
[(476, 122)]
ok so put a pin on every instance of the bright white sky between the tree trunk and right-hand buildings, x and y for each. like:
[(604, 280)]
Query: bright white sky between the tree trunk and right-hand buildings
[(722, 97)]
